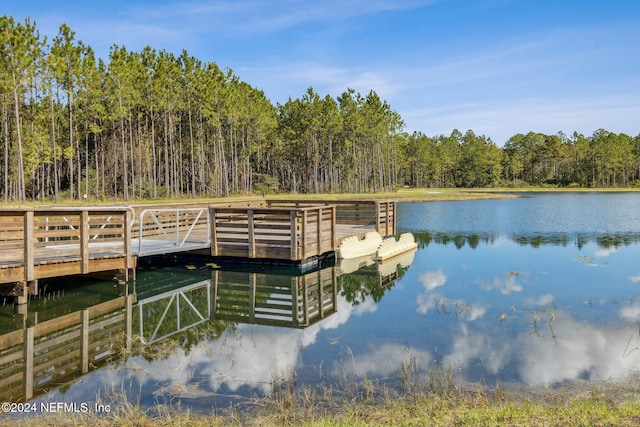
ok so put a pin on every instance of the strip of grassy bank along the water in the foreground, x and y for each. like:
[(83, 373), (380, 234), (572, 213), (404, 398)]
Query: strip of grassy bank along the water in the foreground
[(435, 400)]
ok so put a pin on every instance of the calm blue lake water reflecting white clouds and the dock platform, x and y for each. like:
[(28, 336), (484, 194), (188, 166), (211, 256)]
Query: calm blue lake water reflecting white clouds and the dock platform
[(538, 290)]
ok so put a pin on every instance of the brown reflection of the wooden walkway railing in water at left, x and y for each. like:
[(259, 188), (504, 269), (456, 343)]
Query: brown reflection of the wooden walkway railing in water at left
[(49, 354)]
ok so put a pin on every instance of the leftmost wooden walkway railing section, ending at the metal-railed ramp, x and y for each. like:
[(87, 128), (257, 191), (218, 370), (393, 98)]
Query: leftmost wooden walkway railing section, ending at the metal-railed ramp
[(82, 240)]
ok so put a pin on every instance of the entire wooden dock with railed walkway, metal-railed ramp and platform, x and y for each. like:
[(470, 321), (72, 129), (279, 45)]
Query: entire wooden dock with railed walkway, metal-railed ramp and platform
[(38, 243)]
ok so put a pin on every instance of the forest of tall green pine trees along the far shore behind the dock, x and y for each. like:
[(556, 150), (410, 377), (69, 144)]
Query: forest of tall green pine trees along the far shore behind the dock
[(153, 125)]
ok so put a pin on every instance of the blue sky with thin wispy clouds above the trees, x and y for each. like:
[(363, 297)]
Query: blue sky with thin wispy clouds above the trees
[(497, 67)]
